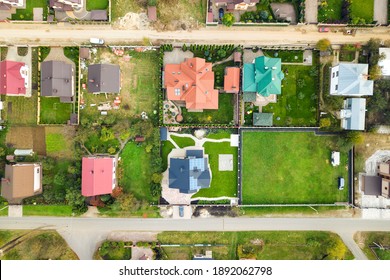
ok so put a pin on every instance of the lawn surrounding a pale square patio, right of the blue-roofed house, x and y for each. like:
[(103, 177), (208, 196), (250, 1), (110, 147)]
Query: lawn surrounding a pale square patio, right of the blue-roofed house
[(223, 183)]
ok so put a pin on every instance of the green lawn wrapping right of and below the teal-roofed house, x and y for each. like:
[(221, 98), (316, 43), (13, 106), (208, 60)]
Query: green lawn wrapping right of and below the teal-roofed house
[(297, 105)]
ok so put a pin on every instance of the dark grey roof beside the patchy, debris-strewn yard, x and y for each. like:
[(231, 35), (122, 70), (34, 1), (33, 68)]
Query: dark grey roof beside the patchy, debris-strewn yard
[(104, 78)]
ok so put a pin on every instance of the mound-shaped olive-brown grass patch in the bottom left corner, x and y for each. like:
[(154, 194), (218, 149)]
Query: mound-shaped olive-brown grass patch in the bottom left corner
[(41, 245)]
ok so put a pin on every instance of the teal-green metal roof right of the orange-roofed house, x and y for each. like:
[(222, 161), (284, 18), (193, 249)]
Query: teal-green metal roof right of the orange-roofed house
[(264, 76)]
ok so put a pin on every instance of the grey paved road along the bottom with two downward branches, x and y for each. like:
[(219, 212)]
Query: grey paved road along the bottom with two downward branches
[(83, 234)]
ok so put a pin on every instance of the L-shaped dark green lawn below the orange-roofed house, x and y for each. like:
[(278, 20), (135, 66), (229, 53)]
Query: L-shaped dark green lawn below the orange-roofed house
[(224, 114)]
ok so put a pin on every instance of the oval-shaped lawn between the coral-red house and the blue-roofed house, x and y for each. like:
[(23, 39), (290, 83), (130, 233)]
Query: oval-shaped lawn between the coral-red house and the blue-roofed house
[(136, 177)]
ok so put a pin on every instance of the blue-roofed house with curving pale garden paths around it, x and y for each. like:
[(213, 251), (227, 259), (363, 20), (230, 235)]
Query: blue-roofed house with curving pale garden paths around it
[(191, 173)]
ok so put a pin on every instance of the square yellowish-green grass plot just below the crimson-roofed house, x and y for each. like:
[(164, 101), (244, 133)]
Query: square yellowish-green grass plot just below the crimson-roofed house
[(21, 110)]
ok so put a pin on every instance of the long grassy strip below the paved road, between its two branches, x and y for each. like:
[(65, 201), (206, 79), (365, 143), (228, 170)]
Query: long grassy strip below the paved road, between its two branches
[(287, 245)]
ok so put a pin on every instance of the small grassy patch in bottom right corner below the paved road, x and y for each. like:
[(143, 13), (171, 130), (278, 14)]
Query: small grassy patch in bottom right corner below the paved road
[(366, 239)]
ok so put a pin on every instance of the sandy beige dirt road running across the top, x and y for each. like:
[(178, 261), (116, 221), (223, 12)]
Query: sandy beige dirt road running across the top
[(39, 34)]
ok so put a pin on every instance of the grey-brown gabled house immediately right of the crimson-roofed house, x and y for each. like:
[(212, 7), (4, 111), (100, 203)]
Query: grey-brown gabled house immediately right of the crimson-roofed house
[(57, 80)]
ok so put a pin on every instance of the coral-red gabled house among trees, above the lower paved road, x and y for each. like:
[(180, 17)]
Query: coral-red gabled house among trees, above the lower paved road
[(98, 175)]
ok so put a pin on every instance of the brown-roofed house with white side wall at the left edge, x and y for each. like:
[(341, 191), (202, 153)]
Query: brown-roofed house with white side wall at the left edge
[(21, 180)]
